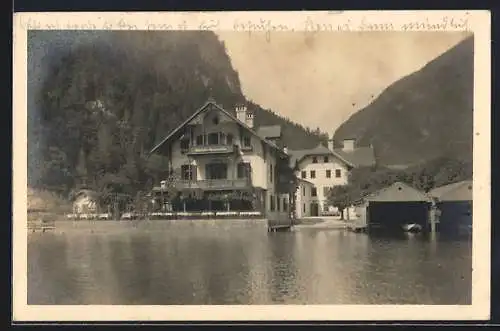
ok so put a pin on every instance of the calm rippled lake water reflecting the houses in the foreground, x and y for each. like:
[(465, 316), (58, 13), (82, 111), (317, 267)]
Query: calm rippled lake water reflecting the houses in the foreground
[(161, 263)]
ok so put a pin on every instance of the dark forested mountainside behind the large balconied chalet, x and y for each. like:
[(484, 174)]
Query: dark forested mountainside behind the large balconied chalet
[(98, 102)]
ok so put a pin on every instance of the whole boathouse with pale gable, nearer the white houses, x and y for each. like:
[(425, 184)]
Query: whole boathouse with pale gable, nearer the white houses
[(393, 207)]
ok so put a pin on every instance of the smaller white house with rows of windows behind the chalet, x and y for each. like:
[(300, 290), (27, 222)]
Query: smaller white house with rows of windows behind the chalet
[(324, 167)]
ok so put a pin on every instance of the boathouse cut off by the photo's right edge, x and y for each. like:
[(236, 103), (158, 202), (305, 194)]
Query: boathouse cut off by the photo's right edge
[(455, 204)]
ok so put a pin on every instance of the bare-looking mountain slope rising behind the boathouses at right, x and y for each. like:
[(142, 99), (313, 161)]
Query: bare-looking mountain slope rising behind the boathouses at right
[(423, 116)]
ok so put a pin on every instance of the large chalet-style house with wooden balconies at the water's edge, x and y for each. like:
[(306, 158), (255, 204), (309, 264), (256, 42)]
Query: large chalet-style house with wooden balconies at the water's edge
[(223, 163)]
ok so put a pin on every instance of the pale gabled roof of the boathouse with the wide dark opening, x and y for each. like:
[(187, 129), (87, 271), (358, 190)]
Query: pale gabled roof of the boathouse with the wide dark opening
[(397, 192)]
